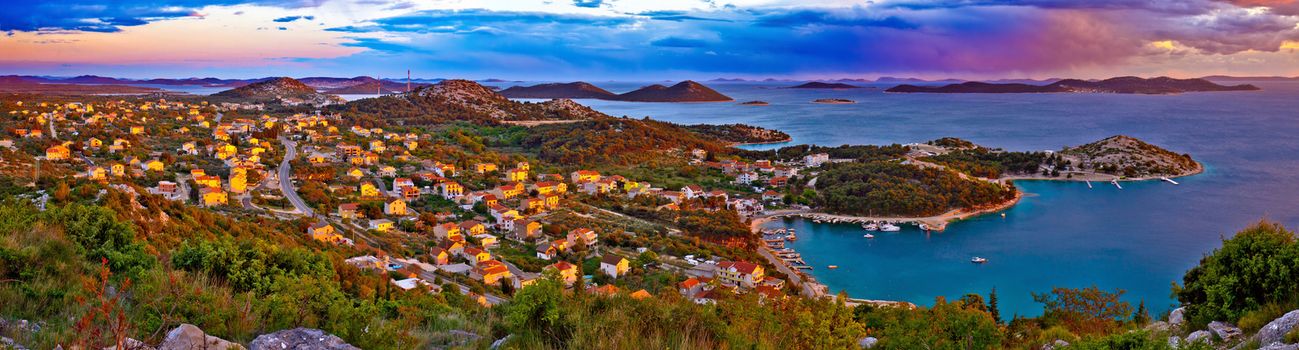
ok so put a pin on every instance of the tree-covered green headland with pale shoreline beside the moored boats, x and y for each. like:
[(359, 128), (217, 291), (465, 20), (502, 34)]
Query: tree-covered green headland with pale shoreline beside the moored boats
[(894, 189)]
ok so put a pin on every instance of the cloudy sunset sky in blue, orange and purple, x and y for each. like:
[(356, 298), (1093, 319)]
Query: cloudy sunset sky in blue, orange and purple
[(650, 40)]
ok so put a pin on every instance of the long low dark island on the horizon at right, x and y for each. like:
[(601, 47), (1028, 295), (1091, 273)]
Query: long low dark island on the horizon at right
[(1120, 85)]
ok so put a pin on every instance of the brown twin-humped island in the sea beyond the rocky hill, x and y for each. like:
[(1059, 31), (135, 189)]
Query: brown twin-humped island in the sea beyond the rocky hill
[(683, 92)]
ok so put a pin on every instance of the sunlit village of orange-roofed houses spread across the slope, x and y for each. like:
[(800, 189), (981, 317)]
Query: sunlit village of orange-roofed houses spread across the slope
[(411, 205)]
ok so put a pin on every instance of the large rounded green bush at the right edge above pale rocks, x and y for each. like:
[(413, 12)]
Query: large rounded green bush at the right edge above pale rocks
[(1253, 279)]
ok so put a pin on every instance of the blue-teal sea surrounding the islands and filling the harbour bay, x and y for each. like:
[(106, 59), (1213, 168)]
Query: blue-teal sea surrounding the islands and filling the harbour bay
[(1141, 239)]
